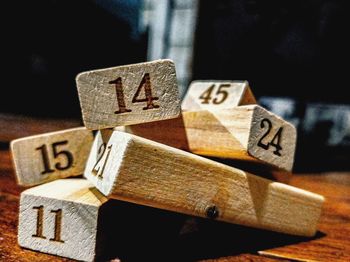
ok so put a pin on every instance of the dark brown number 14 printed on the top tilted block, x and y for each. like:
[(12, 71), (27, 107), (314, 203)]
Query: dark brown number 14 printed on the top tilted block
[(145, 83)]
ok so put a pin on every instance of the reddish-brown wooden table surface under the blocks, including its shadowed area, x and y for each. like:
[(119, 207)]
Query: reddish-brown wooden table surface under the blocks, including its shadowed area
[(147, 234)]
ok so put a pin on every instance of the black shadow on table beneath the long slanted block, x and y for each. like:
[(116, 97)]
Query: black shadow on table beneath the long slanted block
[(139, 233)]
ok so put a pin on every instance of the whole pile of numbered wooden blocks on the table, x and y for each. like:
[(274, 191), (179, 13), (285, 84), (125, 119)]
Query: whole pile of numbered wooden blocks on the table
[(146, 151)]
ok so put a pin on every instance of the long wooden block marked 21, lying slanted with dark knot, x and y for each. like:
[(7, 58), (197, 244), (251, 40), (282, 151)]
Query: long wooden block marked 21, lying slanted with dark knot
[(138, 170)]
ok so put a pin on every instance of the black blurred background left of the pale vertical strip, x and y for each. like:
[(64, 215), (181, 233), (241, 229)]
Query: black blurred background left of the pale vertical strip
[(47, 43)]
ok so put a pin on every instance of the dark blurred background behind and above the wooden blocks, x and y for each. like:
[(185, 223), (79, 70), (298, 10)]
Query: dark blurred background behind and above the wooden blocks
[(294, 53)]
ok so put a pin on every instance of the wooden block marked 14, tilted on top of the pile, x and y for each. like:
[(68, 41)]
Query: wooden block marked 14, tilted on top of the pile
[(129, 94)]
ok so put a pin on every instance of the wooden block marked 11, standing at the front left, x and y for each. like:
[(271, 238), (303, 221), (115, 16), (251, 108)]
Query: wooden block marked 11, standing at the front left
[(61, 218)]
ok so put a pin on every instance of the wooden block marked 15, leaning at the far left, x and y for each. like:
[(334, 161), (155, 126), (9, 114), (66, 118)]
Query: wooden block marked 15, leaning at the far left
[(46, 157)]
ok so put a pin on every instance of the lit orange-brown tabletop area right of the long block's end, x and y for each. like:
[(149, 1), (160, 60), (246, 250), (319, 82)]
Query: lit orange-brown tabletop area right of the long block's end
[(333, 241)]
